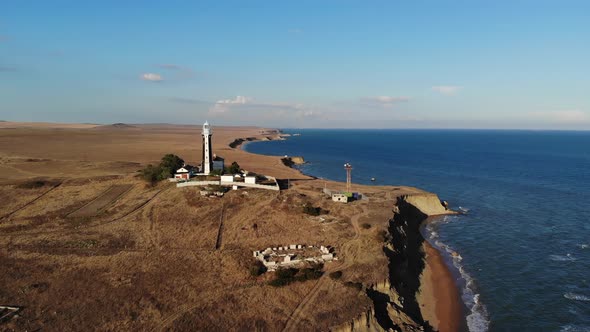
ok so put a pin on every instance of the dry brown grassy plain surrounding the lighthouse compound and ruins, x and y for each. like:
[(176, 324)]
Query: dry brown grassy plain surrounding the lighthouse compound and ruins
[(86, 245)]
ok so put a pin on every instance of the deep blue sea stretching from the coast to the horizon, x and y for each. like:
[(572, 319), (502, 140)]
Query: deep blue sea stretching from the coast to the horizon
[(524, 244)]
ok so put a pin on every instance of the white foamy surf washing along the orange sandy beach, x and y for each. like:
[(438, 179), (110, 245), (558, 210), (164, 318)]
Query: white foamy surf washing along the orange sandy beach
[(477, 317)]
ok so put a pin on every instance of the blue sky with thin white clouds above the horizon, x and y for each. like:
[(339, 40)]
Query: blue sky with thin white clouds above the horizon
[(304, 64)]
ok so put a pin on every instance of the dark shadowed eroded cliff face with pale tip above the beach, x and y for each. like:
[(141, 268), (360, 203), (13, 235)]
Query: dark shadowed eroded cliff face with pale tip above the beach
[(395, 306)]
